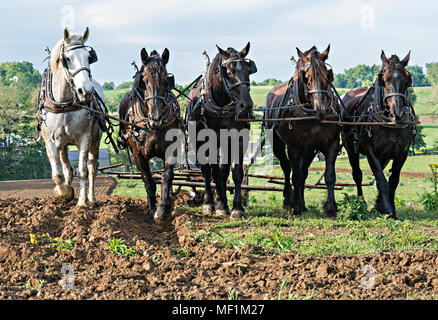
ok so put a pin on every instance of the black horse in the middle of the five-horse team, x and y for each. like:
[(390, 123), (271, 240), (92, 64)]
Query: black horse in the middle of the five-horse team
[(216, 103)]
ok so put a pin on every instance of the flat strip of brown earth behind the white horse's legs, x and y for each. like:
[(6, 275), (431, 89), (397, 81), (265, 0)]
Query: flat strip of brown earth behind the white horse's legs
[(43, 188)]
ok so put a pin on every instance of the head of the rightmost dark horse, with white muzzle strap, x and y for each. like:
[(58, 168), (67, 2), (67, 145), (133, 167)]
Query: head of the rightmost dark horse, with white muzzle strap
[(395, 80)]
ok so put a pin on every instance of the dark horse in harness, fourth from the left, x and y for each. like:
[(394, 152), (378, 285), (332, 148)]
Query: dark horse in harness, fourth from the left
[(309, 95)]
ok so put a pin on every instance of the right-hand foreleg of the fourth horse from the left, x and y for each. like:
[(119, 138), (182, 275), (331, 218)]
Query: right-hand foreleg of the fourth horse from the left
[(330, 206)]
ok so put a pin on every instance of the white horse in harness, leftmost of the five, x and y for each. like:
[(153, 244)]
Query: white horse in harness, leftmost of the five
[(70, 80)]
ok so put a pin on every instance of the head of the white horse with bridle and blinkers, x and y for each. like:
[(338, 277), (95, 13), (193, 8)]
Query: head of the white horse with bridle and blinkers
[(75, 59)]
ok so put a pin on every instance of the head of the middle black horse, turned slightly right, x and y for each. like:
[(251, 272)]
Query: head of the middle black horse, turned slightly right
[(234, 73)]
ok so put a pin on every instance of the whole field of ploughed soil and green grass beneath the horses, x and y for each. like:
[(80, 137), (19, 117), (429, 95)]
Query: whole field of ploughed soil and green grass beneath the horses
[(117, 252)]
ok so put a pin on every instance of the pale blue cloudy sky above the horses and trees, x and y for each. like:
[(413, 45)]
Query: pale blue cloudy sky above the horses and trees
[(356, 30)]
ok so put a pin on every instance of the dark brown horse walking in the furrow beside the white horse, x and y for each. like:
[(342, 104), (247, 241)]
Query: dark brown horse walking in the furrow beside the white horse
[(150, 104)]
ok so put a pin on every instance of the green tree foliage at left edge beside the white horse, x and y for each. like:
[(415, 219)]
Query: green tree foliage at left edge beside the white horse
[(20, 156)]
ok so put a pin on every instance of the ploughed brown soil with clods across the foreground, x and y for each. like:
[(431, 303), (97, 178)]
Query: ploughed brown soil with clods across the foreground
[(163, 270)]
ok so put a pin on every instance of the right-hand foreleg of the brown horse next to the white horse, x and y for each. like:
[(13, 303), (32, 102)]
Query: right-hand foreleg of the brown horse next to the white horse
[(165, 206)]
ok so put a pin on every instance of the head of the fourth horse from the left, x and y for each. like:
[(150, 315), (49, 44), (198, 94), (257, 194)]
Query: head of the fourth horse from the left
[(314, 79)]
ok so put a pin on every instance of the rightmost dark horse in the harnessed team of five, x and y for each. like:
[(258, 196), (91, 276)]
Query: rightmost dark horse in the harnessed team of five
[(386, 101)]
